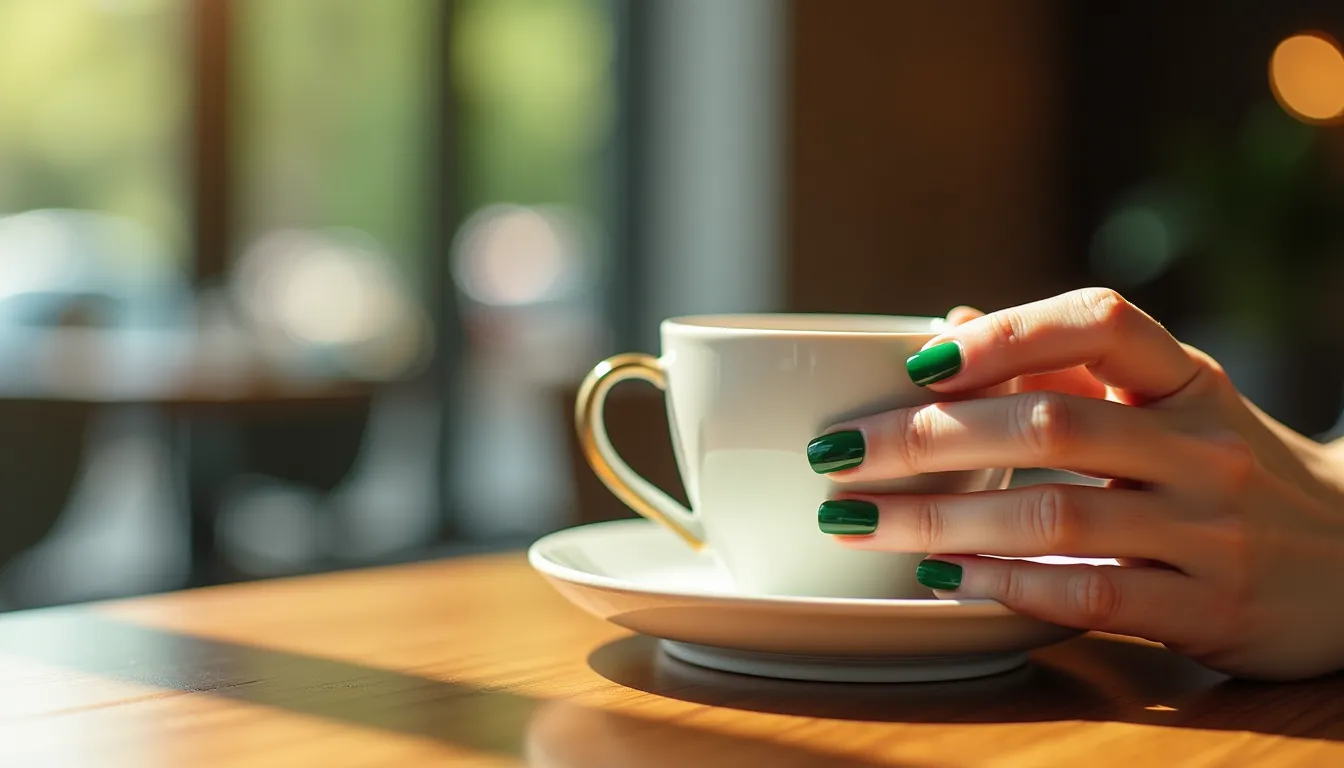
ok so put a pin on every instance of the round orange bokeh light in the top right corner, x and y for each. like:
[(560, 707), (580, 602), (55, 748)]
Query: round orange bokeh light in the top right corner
[(1307, 73)]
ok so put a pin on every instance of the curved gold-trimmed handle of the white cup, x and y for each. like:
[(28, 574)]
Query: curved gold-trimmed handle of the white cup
[(636, 493)]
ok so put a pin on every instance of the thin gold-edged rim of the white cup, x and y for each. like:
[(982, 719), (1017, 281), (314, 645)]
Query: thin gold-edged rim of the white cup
[(779, 325)]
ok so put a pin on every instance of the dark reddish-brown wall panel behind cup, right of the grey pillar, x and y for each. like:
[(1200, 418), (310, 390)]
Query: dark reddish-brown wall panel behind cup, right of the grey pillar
[(924, 155)]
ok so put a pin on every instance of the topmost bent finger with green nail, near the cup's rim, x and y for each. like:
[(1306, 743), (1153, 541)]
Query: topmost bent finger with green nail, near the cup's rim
[(1095, 328)]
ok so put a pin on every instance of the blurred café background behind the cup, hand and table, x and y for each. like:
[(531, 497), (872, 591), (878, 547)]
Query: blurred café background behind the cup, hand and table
[(294, 286)]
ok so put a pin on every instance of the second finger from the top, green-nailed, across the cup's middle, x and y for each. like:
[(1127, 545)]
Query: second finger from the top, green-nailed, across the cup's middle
[(1036, 430)]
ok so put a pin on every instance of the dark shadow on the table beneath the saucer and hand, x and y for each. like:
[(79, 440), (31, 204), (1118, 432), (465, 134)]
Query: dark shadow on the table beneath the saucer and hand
[(1095, 679)]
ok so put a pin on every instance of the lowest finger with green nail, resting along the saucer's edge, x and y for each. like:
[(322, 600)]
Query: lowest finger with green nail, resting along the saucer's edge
[(1162, 606)]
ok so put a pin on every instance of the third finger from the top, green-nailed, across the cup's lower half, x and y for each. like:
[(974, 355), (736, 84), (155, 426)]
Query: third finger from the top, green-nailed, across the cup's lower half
[(1037, 521)]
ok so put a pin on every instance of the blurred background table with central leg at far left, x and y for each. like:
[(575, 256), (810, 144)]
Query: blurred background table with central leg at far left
[(202, 377)]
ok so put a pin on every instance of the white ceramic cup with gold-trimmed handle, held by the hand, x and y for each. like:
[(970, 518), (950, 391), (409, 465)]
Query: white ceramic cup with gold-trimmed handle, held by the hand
[(745, 396)]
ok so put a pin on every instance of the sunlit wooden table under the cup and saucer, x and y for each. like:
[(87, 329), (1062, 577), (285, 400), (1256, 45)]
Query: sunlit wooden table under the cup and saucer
[(478, 662)]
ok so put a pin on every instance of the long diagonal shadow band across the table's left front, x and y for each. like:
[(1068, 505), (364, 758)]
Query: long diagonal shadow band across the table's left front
[(556, 735)]
